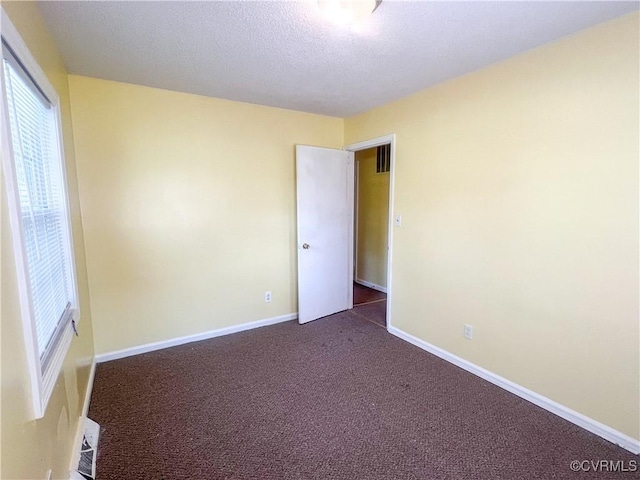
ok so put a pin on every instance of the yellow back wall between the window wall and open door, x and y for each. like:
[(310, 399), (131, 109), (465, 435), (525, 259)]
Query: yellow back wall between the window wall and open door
[(188, 205)]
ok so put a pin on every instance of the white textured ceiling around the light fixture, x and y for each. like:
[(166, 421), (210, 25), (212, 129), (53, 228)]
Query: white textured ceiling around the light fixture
[(284, 54)]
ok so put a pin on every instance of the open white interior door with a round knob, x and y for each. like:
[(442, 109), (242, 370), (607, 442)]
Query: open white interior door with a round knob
[(325, 231)]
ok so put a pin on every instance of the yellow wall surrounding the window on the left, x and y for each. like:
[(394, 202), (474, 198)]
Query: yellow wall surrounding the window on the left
[(30, 448)]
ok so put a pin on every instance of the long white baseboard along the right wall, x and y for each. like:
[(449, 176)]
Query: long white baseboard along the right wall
[(608, 433)]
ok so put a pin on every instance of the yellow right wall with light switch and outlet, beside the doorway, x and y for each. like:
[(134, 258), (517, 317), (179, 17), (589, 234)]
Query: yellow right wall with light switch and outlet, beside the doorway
[(518, 190)]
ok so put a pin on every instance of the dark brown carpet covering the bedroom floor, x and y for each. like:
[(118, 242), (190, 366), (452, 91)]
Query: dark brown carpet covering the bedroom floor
[(338, 398)]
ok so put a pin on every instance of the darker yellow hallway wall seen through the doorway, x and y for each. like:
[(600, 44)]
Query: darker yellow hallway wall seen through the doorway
[(373, 220)]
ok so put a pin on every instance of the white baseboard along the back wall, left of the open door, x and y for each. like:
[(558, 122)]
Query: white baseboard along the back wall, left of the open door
[(150, 347)]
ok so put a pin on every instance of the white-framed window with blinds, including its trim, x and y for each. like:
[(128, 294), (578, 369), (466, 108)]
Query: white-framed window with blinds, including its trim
[(36, 190)]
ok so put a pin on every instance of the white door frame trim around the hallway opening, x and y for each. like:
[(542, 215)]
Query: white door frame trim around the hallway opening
[(356, 147)]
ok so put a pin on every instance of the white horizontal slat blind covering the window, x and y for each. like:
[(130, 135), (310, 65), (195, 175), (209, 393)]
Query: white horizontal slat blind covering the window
[(42, 206)]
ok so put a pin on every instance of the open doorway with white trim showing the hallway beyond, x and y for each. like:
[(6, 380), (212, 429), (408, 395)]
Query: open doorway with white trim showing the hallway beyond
[(373, 199)]
